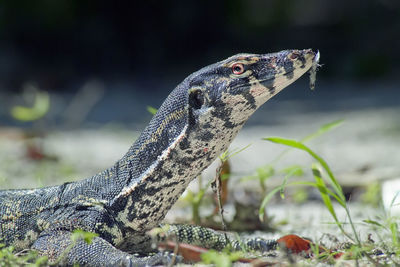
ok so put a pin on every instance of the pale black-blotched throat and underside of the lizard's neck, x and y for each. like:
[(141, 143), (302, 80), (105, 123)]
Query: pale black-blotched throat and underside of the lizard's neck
[(144, 203)]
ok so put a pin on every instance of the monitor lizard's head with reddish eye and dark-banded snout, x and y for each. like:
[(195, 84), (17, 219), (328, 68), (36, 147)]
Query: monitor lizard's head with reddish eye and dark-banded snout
[(234, 88)]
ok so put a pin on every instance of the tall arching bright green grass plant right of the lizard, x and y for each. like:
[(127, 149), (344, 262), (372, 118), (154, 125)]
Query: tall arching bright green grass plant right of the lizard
[(330, 190)]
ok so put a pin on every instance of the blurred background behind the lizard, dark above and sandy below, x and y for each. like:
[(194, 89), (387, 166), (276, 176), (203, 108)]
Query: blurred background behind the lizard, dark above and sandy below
[(79, 76)]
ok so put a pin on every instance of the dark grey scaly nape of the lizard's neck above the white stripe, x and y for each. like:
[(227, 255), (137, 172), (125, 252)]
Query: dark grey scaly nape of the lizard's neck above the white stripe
[(157, 137)]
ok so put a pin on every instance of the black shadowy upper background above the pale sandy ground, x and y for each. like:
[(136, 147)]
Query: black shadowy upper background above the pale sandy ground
[(138, 51)]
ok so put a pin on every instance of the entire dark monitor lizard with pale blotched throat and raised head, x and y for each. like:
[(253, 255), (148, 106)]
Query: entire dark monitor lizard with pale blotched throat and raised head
[(195, 124)]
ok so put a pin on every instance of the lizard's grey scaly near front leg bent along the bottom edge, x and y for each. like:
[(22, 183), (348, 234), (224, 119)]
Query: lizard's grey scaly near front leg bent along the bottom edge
[(62, 250)]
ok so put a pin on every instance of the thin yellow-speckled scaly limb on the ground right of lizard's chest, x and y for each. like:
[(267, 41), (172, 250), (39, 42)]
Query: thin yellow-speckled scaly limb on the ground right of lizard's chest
[(208, 238)]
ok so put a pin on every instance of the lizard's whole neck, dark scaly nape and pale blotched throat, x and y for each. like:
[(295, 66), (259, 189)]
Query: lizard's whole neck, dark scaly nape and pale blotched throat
[(171, 152)]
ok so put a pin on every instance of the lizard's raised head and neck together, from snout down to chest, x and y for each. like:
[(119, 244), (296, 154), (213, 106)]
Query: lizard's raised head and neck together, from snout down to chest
[(196, 123)]
